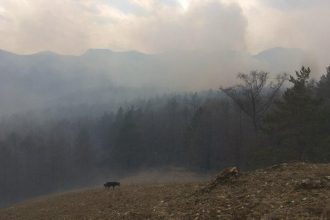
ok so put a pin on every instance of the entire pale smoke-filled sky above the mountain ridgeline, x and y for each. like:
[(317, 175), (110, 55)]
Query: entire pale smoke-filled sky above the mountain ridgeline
[(73, 26)]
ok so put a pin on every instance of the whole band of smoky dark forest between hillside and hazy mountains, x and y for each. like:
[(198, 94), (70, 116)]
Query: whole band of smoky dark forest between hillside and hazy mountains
[(263, 120)]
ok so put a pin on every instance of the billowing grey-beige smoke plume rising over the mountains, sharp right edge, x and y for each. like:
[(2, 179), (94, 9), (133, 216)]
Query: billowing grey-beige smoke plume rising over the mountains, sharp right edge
[(203, 26)]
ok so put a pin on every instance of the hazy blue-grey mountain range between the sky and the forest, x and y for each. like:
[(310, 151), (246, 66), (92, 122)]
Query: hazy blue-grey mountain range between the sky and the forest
[(47, 79)]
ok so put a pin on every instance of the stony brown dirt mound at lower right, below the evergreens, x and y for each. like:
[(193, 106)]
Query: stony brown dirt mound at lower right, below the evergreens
[(284, 191)]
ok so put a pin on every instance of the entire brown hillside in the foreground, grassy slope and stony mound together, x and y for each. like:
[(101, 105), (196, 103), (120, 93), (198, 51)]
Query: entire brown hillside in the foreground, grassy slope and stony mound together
[(286, 191)]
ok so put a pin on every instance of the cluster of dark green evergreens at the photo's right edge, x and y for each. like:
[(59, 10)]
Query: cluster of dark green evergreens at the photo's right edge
[(299, 123)]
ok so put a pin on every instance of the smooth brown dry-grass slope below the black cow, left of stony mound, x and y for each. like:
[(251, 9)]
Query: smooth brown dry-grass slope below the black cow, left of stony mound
[(126, 202)]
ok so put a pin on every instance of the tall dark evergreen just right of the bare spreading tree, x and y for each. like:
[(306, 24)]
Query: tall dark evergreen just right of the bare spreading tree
[(294, 123)]
